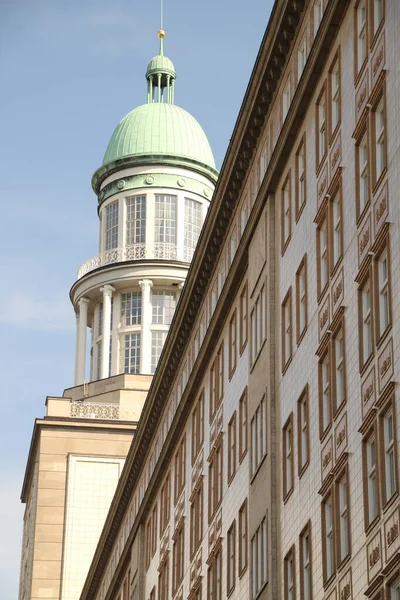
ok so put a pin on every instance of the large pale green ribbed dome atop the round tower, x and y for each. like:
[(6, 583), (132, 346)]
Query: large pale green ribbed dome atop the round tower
[(157, 129)]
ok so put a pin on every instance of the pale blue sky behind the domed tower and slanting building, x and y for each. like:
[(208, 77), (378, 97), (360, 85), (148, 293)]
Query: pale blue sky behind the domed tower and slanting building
[(70, 70)]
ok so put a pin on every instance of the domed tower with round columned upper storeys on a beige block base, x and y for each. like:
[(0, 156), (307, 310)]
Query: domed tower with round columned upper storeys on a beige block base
[(153, 189)]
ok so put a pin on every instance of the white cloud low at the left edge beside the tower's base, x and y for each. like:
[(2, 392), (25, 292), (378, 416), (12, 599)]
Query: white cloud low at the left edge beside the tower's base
[(11, 519)]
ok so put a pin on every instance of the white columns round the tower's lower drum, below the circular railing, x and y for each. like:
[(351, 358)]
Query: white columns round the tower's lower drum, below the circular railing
[(81, 334)]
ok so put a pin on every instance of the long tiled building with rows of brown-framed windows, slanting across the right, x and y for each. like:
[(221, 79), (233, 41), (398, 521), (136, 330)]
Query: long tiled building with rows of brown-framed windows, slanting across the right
[(265, 463)]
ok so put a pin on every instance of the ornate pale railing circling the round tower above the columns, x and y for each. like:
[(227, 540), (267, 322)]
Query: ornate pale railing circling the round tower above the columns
[(140, 251)]
